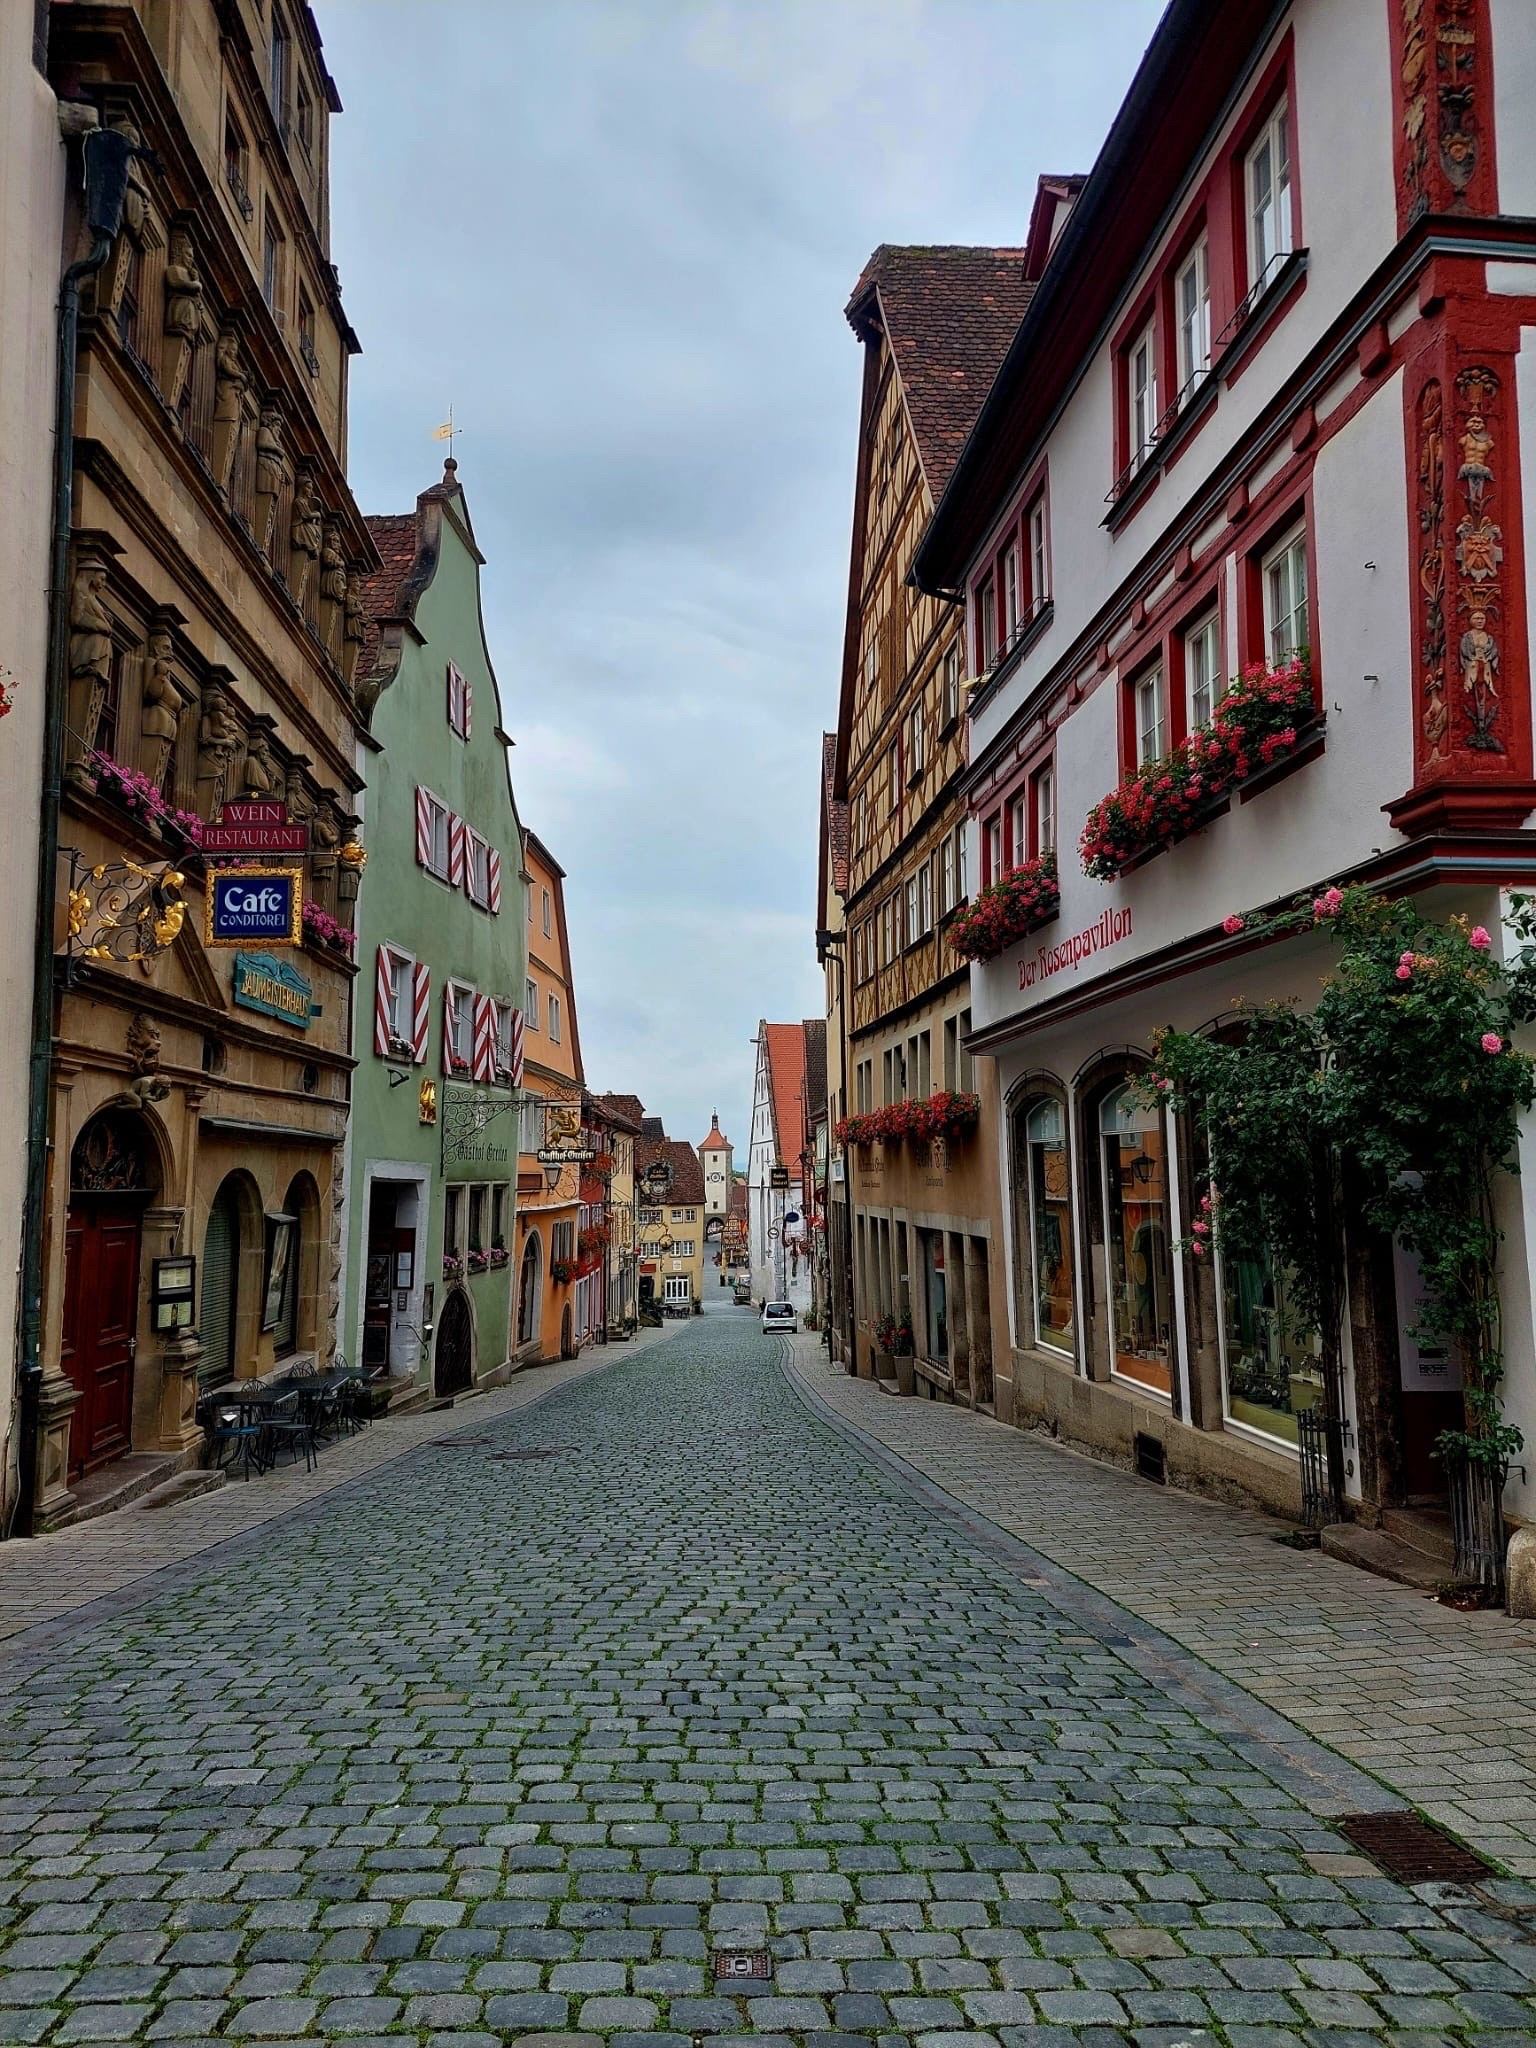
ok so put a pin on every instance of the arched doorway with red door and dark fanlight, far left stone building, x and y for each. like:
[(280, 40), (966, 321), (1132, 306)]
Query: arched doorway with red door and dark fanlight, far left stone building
[(112, 1181)]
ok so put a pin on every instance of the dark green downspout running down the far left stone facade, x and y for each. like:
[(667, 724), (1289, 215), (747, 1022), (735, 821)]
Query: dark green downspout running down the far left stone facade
[(108, 155)]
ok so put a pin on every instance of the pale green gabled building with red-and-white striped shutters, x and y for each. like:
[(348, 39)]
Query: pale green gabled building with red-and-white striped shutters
[(433, 1144)]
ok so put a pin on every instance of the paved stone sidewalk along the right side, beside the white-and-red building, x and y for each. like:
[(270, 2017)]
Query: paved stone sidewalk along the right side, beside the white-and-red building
[(1435, 1703)]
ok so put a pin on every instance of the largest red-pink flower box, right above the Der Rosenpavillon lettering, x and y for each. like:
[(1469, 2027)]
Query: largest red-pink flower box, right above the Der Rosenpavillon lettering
[(1267, 716)]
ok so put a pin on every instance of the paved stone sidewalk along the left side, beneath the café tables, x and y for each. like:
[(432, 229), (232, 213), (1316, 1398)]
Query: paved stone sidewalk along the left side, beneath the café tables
[(114, 1555)]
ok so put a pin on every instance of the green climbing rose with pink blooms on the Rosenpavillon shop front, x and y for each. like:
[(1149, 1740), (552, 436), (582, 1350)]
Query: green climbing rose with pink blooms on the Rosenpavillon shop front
[(1400, 1086)]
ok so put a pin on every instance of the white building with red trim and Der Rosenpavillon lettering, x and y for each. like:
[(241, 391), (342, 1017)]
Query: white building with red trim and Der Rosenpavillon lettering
[(1271, 398)]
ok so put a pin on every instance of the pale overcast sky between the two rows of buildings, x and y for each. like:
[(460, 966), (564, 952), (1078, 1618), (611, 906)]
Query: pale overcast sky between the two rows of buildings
[(617, 241)]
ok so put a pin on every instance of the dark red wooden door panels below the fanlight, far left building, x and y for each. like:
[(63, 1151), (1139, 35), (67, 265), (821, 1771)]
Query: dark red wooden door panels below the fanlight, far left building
[(101, 1310)]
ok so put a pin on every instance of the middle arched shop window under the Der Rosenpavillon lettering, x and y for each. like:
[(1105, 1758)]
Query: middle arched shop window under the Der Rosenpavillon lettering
[(1134, 1162)]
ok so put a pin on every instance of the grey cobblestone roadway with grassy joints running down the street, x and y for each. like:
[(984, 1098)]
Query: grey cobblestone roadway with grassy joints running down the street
[(503, 1740)]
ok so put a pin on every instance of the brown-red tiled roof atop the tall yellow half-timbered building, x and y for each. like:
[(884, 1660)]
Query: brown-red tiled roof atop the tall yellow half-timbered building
[(949, 316)]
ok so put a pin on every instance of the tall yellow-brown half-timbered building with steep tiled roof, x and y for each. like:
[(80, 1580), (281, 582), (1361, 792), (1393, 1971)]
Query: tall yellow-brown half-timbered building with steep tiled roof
[(923, 1177)]
